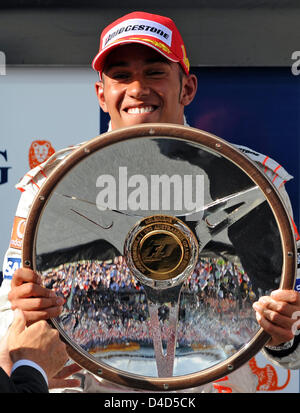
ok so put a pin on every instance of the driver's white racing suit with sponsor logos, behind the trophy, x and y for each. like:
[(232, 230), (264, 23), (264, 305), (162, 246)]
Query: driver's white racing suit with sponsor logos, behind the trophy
[(242, 380)]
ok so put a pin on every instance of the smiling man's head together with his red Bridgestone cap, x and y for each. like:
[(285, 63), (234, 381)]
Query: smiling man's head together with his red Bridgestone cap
[(144, 71)]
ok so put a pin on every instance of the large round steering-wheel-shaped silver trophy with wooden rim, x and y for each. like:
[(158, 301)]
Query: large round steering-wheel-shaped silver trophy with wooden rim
[(160, 237)]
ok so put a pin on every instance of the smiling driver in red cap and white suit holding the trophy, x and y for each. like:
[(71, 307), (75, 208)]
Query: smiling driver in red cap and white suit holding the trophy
[(144, 77)]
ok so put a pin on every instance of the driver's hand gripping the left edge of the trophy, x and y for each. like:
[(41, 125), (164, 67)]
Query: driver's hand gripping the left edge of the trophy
[(36, 301)]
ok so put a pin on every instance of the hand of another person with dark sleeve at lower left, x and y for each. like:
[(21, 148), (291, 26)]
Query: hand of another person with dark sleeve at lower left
[(39, 343)]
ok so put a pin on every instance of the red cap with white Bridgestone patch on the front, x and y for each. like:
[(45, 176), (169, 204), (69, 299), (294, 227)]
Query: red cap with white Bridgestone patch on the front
[(152, 30)]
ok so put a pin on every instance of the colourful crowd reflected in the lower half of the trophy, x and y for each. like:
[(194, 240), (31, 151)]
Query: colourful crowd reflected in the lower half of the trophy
[(106, 305)]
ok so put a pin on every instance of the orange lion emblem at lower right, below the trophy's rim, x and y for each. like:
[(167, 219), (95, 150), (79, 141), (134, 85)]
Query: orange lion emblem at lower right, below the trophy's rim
[(267, 377)]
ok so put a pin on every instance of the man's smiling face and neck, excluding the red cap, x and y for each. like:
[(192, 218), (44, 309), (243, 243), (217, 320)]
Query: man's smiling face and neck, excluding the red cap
[(141, 86)]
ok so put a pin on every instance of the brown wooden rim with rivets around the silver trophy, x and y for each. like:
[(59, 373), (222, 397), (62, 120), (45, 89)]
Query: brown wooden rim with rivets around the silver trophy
[(218, 146)]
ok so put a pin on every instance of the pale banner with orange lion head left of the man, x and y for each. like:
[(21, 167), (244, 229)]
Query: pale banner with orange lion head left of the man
[(41, 110)]
